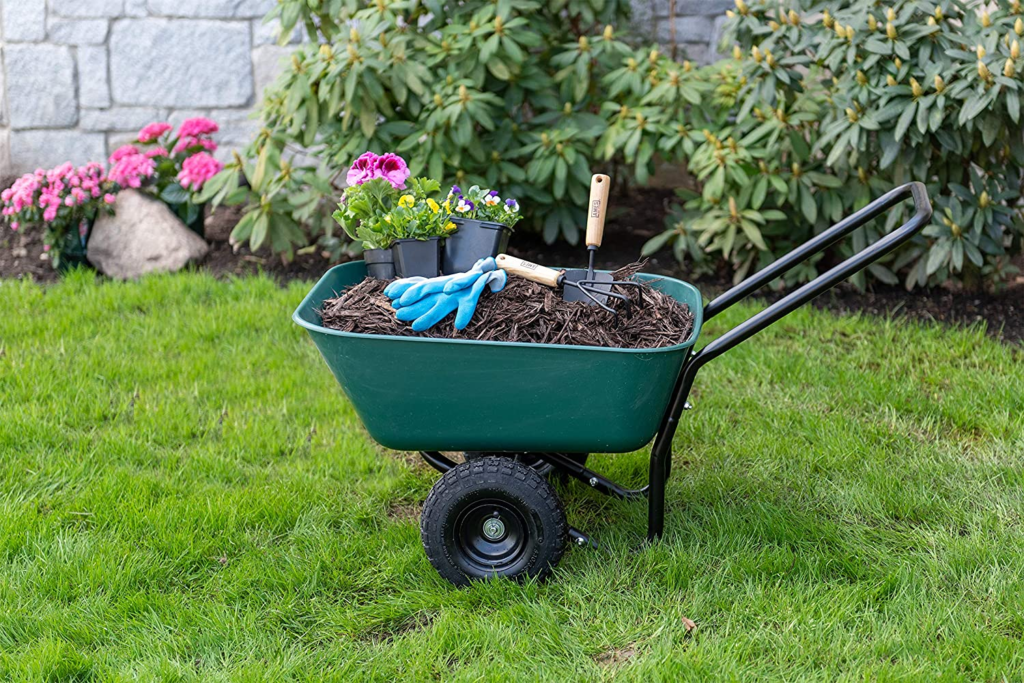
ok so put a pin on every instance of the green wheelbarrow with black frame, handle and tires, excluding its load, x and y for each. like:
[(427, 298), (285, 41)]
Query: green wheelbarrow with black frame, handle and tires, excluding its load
[(506, 407)]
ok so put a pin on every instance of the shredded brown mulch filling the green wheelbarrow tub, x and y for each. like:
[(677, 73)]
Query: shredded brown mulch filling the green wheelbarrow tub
[(526, 312)]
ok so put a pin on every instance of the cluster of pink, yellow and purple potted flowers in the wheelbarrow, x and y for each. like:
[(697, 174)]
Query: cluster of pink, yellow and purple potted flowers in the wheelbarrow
[(402, 228)]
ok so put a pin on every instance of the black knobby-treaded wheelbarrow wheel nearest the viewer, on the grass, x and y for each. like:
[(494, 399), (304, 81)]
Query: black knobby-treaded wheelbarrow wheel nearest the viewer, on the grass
[(533, 521)]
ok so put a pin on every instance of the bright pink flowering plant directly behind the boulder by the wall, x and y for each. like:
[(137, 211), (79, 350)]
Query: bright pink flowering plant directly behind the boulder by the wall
[(173, 165)]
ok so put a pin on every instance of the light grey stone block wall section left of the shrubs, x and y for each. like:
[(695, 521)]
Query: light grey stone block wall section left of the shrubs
[(78, 78)]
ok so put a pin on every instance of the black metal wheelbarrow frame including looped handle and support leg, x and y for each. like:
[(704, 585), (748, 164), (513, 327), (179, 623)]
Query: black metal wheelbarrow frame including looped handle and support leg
[(661, 454)]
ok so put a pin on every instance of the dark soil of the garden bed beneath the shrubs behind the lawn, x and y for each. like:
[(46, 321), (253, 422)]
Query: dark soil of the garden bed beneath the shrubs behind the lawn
[(22, 257)]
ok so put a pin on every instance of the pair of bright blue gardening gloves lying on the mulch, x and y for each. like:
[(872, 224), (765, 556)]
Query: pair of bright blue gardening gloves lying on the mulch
[(425, 302)]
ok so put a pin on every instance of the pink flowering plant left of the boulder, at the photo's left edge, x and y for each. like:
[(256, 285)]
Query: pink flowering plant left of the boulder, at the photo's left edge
[(64, 201)]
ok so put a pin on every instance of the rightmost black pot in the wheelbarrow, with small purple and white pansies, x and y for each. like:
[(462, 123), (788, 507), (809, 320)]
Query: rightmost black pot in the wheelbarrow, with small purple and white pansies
[(484, 223)]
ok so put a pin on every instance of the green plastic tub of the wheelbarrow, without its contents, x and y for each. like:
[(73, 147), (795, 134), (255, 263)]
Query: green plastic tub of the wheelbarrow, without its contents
[(439, 395)]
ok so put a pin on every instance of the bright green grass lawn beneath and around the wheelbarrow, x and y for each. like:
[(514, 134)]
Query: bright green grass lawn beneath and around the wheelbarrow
[(186, 494)]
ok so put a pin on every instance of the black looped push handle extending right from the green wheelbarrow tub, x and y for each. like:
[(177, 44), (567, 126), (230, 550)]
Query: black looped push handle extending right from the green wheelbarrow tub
[(786, 306)]
